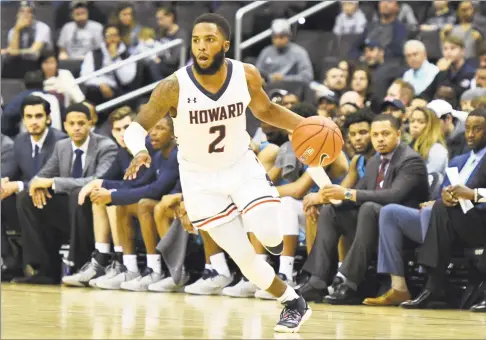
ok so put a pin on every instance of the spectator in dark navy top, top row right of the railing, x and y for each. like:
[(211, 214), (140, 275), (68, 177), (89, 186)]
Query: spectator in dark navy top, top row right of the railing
[(387, 31)]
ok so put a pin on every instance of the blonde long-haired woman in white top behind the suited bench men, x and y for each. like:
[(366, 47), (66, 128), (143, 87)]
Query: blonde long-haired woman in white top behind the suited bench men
[(428, 140)]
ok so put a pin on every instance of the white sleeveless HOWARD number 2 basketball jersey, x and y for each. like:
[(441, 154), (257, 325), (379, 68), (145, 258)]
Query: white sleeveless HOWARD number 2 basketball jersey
[(211, 128)]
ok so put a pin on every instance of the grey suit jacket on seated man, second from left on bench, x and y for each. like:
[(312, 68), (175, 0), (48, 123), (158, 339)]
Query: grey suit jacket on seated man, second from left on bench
[(101, 153)]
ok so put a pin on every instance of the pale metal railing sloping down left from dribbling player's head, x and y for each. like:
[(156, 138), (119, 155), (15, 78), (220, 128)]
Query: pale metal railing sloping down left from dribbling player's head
[(137, 57)]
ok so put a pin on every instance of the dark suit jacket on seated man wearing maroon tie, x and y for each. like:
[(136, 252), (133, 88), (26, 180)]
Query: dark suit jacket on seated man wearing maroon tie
[(406, 180)]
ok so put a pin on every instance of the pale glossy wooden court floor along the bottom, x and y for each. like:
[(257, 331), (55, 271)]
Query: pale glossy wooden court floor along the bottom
[(52, 312)]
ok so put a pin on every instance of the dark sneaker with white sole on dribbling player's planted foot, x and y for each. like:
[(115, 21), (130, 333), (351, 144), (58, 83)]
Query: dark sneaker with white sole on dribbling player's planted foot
[(294, 314)]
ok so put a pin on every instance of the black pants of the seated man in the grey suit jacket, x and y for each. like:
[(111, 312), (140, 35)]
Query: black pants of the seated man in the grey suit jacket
[(44, 231)]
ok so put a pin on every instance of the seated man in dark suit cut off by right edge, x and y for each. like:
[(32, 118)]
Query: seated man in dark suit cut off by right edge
[(449, 225)]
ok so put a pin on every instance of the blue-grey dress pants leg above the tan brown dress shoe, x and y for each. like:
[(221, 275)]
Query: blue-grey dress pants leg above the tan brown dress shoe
[(397, 222)]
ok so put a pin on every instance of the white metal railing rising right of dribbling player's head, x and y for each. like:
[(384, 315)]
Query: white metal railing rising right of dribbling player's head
[(240, 46)]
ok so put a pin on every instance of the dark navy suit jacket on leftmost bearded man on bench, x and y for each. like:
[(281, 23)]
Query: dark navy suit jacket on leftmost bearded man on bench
[(24, 163)]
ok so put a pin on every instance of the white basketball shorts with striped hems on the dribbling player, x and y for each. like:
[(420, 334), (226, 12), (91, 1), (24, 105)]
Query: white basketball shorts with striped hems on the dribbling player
[(215, 198)]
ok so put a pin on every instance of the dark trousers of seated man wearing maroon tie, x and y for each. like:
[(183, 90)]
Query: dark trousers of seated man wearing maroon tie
[(359, 224)]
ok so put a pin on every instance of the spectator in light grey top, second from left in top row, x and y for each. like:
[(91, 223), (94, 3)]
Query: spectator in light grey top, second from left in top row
[(81, 35)]
